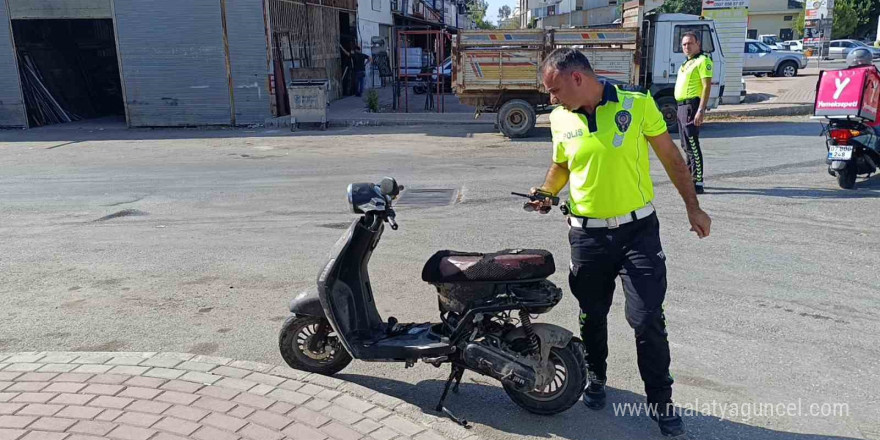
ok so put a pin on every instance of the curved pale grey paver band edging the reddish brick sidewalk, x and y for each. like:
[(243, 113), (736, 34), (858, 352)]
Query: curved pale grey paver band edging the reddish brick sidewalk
[(254, 379)]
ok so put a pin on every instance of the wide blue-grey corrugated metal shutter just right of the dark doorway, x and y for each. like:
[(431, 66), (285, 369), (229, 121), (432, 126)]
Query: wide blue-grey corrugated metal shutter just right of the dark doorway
[(173, 62)]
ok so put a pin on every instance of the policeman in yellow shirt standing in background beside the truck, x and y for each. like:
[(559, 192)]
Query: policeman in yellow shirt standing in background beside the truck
[(692, 88)]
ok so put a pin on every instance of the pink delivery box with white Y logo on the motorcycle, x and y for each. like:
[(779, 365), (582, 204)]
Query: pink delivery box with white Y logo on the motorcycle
[(848, 92)]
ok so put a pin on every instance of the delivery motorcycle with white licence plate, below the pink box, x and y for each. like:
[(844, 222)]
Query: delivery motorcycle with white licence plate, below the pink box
[(851, 152)]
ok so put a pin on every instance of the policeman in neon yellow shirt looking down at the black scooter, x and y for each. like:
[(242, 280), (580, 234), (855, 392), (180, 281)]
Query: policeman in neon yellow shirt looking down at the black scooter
[(601, 134)]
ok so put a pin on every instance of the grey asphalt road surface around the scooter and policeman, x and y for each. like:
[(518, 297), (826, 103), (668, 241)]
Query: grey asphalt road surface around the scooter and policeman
[(194, 241)]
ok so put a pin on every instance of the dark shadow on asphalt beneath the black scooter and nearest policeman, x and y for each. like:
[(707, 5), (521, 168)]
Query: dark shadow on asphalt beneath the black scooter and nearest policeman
[(488, 405)]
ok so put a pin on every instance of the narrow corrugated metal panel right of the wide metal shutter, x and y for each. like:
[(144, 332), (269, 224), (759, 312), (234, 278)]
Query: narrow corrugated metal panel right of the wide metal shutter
[(248, 56)]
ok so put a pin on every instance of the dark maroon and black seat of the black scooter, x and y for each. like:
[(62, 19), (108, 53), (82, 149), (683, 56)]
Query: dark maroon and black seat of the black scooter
[(507, 265)]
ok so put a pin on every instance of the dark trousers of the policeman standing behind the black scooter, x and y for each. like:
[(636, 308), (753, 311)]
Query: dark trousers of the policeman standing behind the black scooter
[(632, 252)]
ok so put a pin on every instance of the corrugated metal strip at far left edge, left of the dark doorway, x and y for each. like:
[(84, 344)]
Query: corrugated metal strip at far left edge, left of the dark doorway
[(12, 112)]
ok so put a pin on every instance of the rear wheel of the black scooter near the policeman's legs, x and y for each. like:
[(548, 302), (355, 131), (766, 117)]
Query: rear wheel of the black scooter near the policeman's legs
[(566, 388)]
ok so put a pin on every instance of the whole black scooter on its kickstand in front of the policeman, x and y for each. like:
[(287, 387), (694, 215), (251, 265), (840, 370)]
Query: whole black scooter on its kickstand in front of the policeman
[(486, 304)]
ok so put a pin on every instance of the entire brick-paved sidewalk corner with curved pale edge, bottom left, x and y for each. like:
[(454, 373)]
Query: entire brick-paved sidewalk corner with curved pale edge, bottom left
[(173, 396)]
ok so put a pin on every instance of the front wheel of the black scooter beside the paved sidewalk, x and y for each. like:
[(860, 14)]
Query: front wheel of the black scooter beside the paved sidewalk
[(296, 334)]
